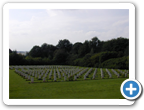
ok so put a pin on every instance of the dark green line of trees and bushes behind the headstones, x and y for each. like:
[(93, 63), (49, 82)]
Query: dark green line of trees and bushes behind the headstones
[(112, 53)]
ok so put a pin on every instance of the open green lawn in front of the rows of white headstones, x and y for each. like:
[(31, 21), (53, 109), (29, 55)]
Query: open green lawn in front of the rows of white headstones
[(19, 88)]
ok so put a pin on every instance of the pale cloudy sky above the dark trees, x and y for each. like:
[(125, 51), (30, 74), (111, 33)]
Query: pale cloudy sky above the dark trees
[(30, 27)]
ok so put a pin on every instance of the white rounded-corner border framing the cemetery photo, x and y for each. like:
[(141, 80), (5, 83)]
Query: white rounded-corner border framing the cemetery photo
[(8, 6)]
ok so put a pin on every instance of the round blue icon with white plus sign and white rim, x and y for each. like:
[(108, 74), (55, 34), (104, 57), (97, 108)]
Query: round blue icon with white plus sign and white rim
[(130, 89)]
